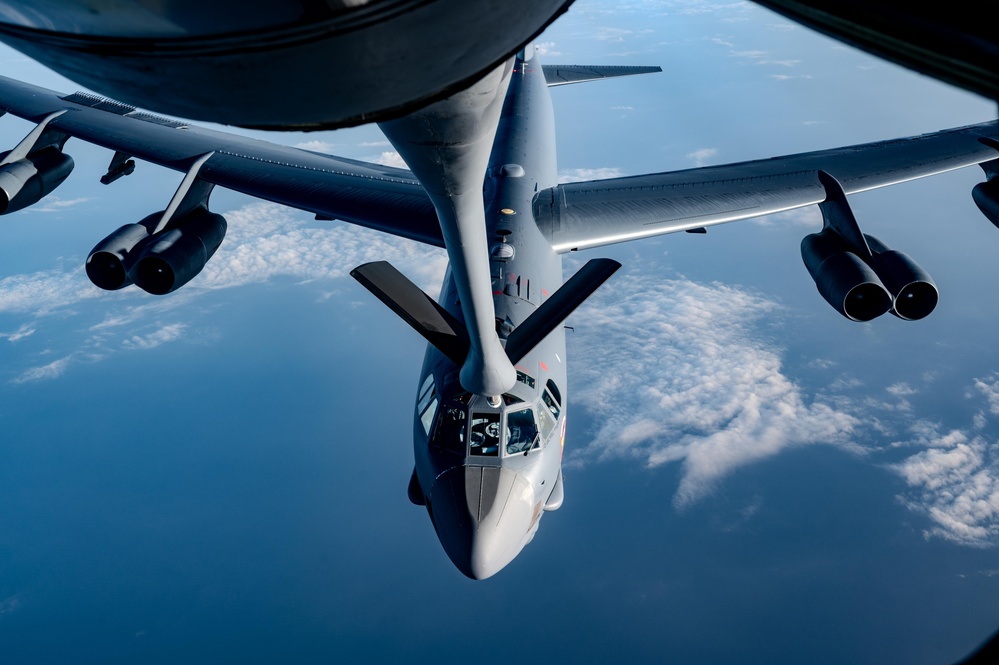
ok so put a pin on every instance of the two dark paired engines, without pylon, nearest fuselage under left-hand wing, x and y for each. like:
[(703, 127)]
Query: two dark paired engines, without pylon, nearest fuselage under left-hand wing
[(160, 262)]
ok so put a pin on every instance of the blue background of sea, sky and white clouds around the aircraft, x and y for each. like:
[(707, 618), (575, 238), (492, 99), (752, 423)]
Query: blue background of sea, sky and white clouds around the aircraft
[(219, 475)]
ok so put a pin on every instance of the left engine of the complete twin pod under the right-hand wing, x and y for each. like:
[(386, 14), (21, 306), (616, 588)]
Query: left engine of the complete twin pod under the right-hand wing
[(846, 282)]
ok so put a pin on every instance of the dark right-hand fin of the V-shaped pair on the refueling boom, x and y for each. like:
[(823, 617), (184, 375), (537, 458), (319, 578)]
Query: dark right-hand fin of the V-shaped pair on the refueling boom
[(558, 307)]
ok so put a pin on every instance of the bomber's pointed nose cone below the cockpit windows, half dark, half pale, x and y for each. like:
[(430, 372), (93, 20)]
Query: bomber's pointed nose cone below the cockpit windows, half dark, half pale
[(484, 516)]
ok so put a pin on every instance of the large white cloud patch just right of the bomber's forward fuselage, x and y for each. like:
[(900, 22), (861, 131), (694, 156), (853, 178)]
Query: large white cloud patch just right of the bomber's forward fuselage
[(687, 380)]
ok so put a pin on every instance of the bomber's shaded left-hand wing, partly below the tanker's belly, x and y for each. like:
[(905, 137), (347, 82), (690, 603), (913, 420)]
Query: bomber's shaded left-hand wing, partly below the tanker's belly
[(379, 197)]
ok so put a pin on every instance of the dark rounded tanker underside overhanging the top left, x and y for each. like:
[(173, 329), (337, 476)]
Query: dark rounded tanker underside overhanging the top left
[(275, 64)]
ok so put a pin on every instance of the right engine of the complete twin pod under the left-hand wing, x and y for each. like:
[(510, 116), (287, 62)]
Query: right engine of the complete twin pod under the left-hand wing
[(174, 257)]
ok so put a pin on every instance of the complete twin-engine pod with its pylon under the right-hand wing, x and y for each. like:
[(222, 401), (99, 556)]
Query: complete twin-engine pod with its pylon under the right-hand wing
[(857, 273)]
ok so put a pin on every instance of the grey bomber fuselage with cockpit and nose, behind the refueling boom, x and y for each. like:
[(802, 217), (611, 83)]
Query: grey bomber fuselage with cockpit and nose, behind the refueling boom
[(487, 473)]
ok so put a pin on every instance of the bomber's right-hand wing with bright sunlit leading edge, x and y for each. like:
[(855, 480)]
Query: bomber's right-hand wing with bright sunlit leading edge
[(601, 212)]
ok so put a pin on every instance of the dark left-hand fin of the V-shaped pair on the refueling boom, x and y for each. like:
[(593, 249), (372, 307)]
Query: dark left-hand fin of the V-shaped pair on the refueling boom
[(436, 324)]
